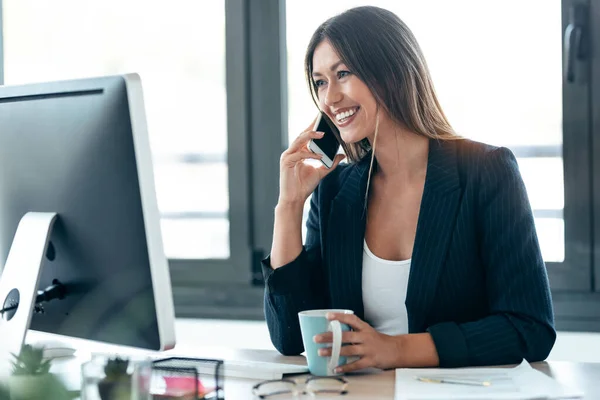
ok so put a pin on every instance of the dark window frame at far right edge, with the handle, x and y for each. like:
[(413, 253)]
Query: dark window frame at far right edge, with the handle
[(574, 286)]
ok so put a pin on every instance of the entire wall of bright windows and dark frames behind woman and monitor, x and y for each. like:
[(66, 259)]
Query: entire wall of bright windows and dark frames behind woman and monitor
[(225, 93)]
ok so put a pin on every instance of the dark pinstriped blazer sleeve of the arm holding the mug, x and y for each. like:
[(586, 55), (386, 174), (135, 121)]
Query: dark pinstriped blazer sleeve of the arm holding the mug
[(521, 322)]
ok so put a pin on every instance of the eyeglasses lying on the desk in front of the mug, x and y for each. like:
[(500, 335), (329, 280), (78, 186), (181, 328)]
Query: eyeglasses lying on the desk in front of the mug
[(313, 386)]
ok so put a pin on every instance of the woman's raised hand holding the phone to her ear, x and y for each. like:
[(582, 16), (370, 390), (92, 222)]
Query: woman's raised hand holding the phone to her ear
[(297, 180)]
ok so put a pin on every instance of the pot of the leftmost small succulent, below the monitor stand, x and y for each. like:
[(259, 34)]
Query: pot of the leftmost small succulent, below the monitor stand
[(30, 387)]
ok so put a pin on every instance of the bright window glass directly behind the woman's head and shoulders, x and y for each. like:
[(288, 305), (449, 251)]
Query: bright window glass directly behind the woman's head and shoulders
[(492, 86)]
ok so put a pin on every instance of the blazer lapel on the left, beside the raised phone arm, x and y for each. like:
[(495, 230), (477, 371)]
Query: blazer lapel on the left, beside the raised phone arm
[(345, 236)]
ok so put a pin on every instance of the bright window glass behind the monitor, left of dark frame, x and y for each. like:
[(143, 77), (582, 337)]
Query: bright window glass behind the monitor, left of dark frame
[(179, 51)]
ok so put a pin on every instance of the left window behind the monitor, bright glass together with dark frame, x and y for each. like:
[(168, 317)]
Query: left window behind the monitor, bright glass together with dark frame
[(212, 110)]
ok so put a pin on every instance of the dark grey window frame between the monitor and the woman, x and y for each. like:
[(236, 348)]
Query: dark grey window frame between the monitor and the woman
[(257, 131)]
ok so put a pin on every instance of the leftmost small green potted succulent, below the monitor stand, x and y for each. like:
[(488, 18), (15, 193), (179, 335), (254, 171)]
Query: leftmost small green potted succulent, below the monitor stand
[(31, 377)]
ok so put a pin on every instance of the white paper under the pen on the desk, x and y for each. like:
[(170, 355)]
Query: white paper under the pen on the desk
[(521, 382)]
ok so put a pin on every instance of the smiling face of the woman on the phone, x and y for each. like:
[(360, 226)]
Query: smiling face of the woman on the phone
[(342, 96)]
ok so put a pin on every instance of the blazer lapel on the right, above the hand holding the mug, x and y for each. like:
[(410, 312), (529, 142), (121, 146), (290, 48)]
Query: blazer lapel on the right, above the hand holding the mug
[(437, 217)]
